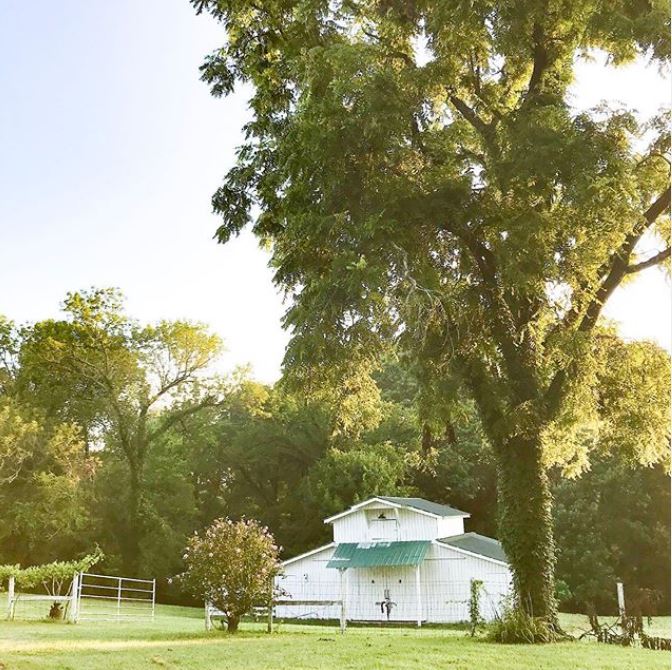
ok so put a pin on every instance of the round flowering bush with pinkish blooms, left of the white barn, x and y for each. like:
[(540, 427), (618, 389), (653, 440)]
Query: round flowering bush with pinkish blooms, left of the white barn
[(232, 566)]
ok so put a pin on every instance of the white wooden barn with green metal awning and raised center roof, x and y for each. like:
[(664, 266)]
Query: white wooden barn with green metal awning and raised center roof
[(396, 559)]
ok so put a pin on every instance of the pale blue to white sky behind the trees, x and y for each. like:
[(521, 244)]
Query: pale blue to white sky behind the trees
[(110, 150)]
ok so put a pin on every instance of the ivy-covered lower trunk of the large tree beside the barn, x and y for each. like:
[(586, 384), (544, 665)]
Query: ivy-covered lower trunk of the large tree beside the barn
[(526, 525)]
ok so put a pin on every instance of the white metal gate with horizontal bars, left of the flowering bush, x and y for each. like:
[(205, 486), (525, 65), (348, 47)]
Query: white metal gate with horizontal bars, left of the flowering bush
[(109, 598)]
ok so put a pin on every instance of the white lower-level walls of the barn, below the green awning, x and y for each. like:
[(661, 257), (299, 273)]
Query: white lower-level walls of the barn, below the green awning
[(445, 577)]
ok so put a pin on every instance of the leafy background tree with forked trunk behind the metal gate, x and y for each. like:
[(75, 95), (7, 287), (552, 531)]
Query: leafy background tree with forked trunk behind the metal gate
[(125, 385)]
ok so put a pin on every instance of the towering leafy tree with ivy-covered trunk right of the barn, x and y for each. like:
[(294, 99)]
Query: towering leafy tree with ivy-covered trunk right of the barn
[(422, 175)]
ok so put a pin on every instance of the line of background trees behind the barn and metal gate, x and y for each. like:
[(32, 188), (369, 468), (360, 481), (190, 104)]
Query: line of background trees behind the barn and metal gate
[(122, 435)]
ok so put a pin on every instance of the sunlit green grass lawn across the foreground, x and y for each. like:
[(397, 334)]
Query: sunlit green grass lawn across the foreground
[(177, 639)]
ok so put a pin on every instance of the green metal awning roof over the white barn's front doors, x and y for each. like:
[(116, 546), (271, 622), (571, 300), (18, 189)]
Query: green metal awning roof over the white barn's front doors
[(378, 554)]
